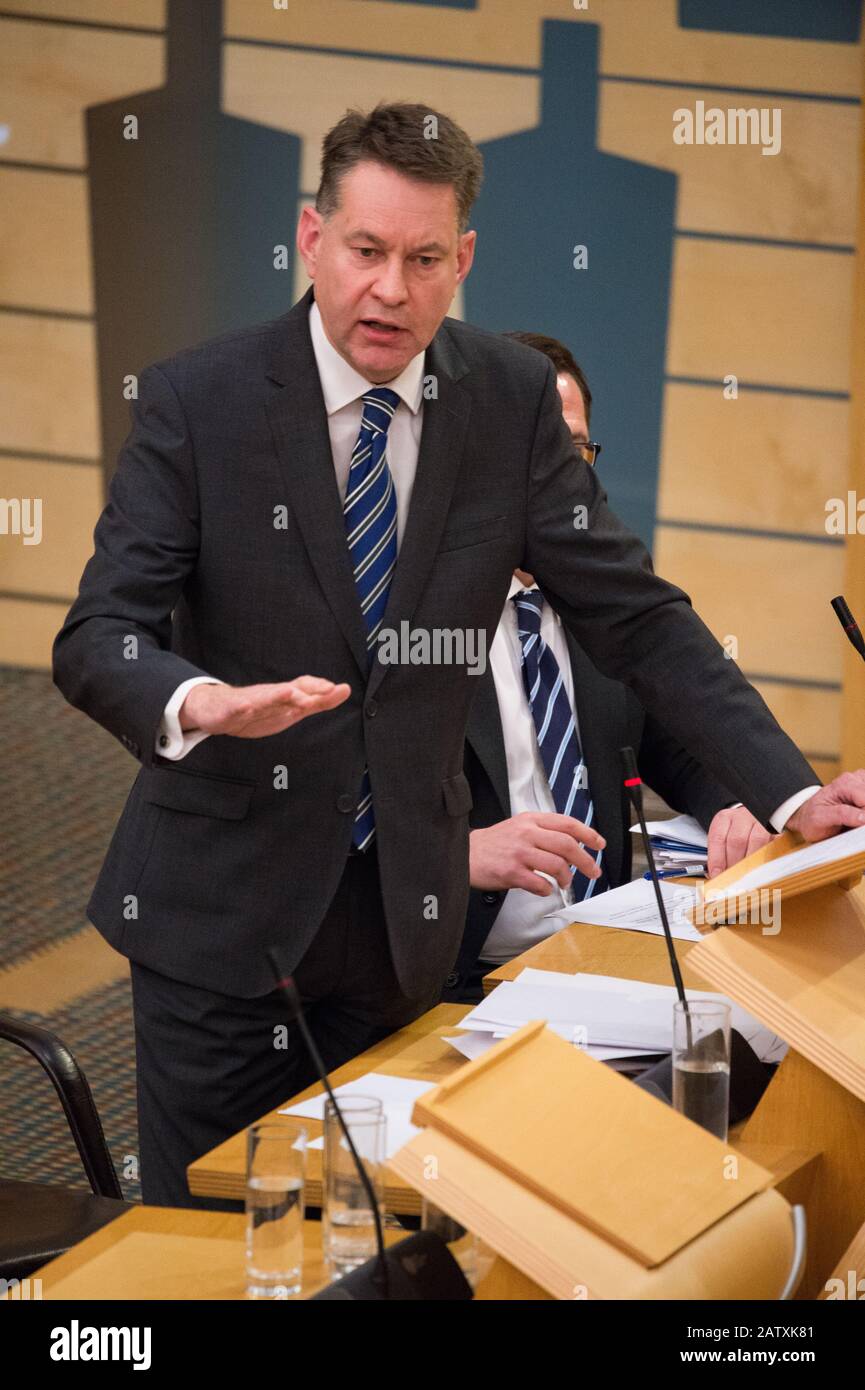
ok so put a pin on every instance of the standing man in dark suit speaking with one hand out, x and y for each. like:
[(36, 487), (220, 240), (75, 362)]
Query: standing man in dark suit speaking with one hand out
[(270, 482)]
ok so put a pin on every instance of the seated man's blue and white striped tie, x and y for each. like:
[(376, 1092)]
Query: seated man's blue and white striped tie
[(557, 730)]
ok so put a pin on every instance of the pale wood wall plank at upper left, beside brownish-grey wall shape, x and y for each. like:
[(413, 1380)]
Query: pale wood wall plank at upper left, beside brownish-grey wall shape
[(49, 74)]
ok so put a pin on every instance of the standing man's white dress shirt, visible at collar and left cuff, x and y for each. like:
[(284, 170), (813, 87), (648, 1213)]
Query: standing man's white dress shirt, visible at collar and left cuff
[(343, 390)]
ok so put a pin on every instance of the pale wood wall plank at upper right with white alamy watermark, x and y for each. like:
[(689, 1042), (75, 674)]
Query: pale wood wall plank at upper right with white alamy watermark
[(799, 194)]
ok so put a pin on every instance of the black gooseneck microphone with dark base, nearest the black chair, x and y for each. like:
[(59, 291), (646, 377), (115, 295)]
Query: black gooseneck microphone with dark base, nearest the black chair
[(418, 1268)]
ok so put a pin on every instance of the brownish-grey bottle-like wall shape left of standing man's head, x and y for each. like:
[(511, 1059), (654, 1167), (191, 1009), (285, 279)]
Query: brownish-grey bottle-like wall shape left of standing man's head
[(186, 218)]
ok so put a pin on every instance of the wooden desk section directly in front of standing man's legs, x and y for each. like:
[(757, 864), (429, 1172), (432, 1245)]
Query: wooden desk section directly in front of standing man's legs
[(417, 1052)]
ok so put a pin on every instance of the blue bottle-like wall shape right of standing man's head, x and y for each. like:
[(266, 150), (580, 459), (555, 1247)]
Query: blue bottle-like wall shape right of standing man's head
[(547, 191)]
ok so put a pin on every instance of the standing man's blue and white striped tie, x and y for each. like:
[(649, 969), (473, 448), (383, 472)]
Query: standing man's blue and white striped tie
[(371, 523)]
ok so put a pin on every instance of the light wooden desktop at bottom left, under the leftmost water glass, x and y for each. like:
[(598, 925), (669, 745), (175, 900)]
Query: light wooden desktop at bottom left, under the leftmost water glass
[(154, 1253)]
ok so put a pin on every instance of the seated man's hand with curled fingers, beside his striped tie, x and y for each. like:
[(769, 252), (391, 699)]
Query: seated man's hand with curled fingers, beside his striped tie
[(508, 856)]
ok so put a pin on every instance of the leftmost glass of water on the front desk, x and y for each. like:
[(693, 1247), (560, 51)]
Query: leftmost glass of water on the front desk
[(276, 1167)]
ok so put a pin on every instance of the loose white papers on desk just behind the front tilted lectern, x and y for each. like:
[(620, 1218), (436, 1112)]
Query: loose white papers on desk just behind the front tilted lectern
[(608, 1018)]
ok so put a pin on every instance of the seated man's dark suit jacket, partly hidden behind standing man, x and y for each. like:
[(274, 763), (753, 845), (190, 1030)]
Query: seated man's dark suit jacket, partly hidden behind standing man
[(610, 718)]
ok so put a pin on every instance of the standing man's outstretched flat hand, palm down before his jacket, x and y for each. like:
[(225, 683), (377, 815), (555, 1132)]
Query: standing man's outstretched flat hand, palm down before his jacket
[(258, 711)]
